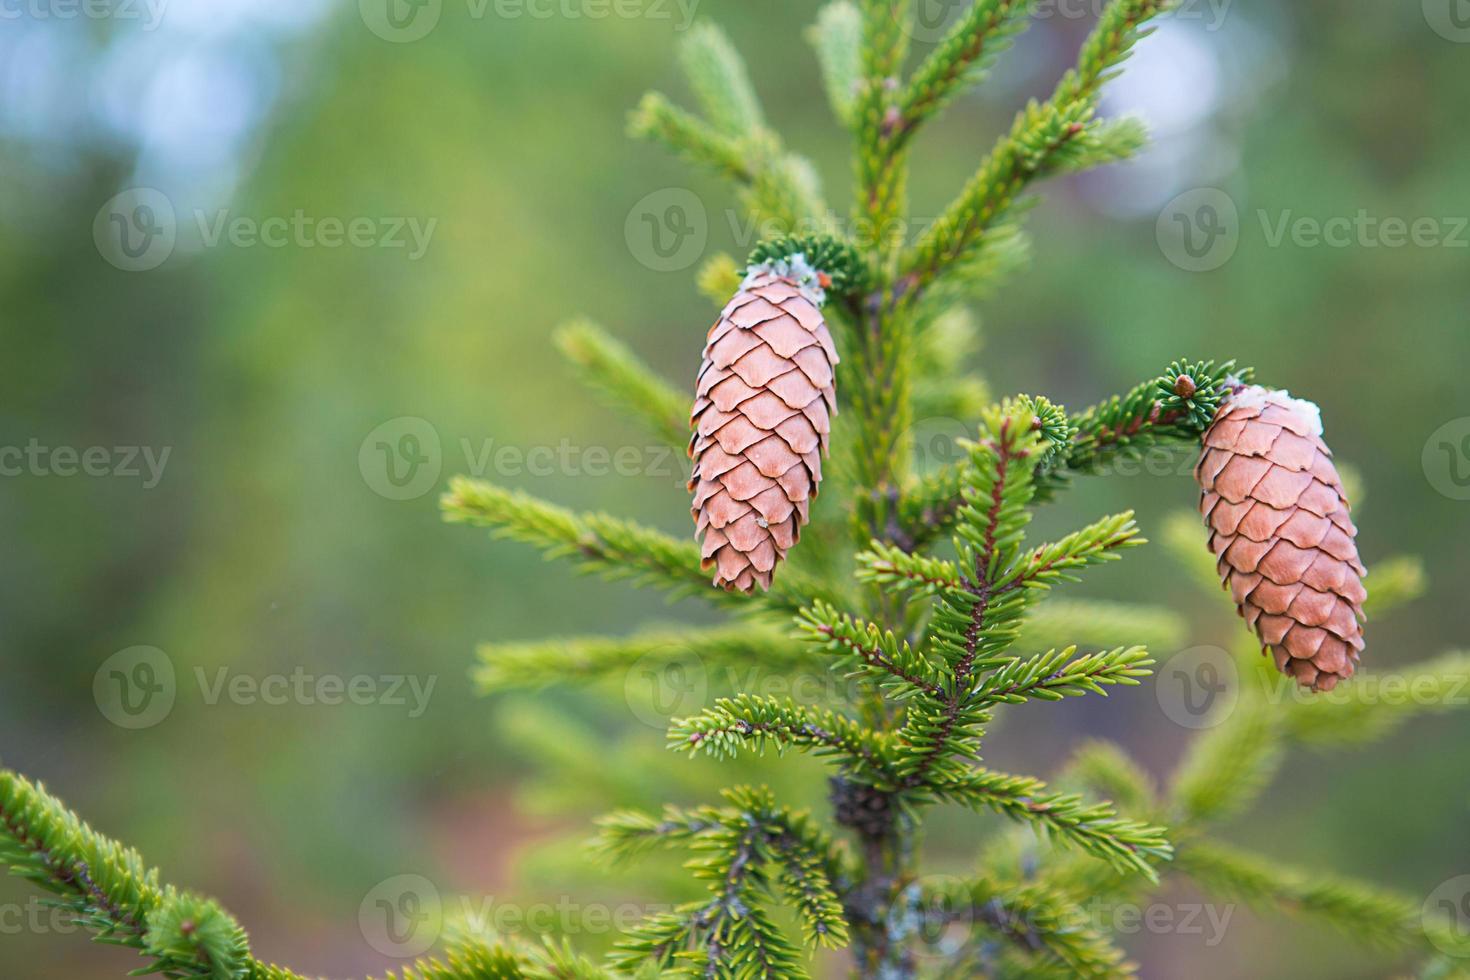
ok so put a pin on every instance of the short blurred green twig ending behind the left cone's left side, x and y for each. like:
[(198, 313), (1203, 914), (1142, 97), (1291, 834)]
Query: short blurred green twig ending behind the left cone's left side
[(606, 365)]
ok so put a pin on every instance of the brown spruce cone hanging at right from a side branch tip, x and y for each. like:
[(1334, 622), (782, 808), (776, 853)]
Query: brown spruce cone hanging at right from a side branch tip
[(1281, 533)]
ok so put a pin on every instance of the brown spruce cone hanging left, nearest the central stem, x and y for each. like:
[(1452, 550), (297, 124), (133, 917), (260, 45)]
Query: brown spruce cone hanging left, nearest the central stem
[(764, 400)]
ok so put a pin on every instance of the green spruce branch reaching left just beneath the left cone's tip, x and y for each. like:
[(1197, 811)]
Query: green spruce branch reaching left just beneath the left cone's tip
[(606, 546)]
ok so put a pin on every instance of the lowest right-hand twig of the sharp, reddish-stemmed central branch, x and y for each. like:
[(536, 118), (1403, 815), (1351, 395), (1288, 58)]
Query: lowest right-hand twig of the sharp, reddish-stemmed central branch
[(1127, 846)]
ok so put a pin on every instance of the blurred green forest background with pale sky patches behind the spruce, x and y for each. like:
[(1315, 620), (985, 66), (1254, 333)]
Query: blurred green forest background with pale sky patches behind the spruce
[(268, 544)]
